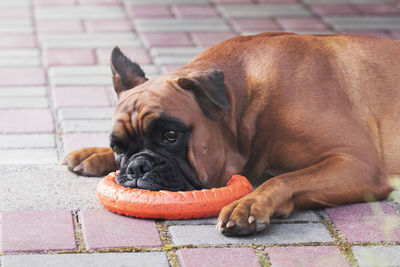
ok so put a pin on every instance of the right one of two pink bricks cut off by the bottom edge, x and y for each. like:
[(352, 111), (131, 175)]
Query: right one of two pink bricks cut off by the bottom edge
[(306, 256)]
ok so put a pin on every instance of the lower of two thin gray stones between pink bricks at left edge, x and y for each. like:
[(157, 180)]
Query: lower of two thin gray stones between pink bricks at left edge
[(24, 102)]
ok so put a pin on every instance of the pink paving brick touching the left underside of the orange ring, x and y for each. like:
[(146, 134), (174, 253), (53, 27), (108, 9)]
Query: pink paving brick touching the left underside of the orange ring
[(104, 229)]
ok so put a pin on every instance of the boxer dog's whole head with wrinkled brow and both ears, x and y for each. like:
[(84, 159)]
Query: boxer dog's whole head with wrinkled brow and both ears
[(166, 132)]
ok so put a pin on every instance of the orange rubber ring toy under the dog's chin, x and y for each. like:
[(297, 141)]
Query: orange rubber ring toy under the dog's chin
[(170, 205)]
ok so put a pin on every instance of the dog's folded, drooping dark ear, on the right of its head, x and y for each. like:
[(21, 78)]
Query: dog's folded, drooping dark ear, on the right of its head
[(209, 90)]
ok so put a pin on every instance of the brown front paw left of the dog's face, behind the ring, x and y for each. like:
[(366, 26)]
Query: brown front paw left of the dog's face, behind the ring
[(91, 161)]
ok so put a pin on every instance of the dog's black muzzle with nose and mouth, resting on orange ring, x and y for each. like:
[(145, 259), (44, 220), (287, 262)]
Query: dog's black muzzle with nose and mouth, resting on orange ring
[(147, 170)]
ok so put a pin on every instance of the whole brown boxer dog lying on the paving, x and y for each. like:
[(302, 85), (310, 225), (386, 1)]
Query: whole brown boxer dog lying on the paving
[(320, 113)]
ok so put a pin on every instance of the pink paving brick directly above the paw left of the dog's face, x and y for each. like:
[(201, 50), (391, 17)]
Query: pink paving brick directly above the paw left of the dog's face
[(76, 141)]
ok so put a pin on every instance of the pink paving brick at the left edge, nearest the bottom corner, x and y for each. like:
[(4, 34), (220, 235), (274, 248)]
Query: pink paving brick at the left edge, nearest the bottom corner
[(37, 231)]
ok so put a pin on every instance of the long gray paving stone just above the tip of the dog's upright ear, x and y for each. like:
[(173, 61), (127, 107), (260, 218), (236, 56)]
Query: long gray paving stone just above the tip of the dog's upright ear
[(88, 40)]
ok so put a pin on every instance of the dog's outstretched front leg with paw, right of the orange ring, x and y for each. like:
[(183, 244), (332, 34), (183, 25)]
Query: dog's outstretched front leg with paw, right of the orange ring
[(337, 180)]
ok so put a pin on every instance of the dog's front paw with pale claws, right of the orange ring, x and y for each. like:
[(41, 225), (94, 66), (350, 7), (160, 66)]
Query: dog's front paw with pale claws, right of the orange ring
[(245, 216)]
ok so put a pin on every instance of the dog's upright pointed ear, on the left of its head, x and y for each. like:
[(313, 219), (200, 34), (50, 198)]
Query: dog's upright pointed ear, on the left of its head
[(126, 74)]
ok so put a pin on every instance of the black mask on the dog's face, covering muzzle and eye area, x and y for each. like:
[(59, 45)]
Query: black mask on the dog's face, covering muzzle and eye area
[(157, 159)]
